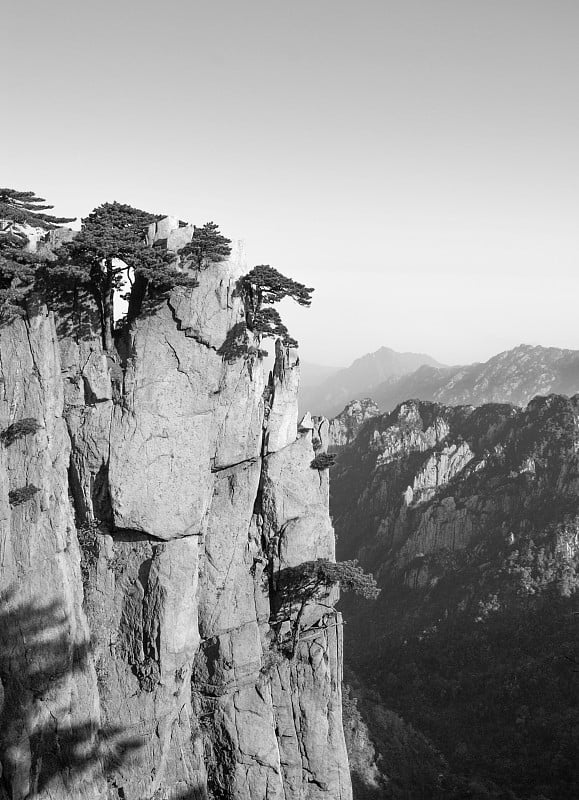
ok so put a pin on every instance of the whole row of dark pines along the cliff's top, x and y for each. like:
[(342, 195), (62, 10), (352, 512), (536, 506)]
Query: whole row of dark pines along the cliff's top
[(110, 249)]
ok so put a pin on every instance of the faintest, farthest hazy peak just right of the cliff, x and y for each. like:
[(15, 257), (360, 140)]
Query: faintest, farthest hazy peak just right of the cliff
[(360, 378)]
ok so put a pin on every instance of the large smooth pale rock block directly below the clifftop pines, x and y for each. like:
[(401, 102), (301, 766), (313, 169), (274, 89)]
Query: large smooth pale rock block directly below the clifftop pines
[(185, 410)]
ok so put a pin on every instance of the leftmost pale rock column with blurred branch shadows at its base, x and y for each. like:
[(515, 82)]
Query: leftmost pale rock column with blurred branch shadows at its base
[(46, 670)]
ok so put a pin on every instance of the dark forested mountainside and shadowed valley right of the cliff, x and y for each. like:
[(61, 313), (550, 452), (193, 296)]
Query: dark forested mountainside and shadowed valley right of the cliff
[(469, 519)]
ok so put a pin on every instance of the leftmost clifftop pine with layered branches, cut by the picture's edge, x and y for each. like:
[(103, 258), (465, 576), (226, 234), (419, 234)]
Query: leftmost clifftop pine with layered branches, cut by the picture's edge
[(19, 210)]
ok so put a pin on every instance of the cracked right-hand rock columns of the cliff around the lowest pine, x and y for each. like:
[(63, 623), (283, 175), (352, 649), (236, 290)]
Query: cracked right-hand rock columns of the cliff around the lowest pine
[(243, 681)]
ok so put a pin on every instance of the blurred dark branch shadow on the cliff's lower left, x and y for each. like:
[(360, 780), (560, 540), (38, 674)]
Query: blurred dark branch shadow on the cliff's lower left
[(41, 748)]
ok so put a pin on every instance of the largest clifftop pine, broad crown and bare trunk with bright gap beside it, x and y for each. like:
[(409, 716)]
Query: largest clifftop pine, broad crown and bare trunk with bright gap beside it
[(110, 249)]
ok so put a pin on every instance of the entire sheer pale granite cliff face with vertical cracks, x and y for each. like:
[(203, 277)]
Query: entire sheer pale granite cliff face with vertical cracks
[(192, 492)]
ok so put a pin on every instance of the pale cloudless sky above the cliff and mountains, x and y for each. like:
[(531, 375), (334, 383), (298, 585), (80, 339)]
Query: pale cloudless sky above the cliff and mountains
[(415, 161)]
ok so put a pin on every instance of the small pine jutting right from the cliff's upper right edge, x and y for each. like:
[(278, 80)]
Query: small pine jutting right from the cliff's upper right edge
[(263, 286)]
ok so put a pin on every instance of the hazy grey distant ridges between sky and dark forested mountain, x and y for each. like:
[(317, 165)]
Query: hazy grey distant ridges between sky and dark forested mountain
[(389, 378)]
